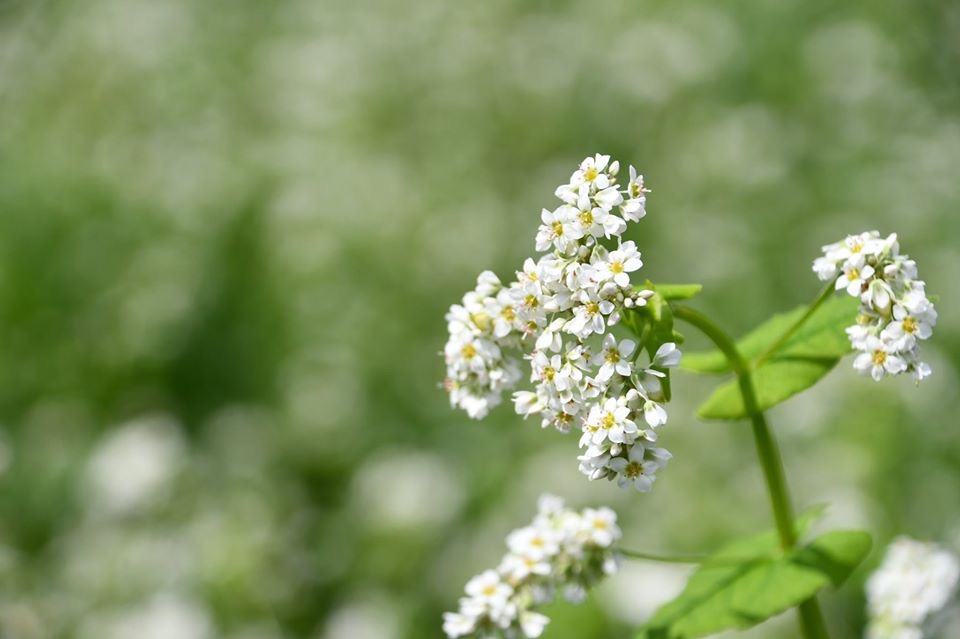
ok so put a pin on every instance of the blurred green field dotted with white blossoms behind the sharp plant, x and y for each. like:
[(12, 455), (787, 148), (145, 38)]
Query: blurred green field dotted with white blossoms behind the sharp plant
[(229, 232)]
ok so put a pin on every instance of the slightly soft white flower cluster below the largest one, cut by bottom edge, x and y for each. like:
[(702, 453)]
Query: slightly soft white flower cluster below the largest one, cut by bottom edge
[(561, 549)]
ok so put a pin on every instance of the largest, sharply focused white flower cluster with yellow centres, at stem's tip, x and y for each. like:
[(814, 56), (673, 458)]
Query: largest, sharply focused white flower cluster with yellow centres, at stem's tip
[(557, 313)]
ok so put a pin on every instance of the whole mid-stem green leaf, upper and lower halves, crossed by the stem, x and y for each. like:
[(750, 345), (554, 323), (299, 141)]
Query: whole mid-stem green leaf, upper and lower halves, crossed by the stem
[(791, 367)]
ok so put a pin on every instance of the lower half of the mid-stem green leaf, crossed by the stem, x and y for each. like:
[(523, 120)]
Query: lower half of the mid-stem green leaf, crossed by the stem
[(775, 381)]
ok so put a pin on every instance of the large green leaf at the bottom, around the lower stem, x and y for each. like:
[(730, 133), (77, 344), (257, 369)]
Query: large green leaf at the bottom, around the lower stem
[(724, 594)]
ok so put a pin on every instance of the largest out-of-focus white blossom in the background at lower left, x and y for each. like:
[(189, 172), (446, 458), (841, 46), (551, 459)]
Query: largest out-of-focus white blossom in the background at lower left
[(134, 464)]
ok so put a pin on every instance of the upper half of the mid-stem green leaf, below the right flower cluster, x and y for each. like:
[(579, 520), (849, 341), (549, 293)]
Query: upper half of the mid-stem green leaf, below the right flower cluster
[(823, 335)]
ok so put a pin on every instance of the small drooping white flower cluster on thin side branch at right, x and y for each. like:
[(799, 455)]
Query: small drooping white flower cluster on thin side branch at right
[(895, 313)]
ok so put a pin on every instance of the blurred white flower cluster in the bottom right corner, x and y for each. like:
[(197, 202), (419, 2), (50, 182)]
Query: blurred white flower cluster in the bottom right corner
[(914, 581)]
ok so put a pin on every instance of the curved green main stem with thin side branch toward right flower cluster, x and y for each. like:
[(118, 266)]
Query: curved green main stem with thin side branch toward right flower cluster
[(811, 619)]
